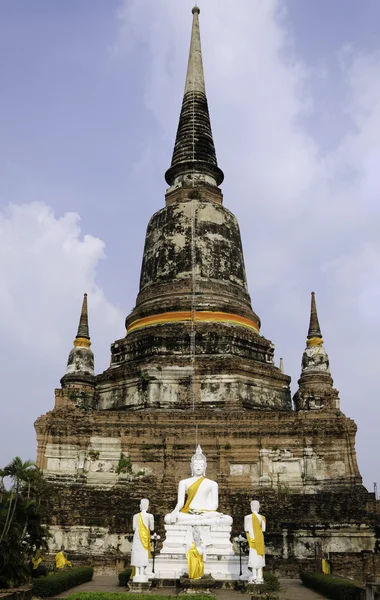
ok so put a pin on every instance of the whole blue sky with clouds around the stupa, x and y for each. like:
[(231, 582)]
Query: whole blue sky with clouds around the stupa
[(89, 105)]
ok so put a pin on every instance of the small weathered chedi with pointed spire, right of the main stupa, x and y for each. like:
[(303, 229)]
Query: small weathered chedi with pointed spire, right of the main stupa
[(315, 384)]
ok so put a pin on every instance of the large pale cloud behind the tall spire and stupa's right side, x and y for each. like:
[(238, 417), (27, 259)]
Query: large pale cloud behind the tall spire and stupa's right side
[(308, 209)]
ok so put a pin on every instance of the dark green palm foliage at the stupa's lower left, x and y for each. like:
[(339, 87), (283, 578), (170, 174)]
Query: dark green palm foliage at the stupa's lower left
[(21, 529)]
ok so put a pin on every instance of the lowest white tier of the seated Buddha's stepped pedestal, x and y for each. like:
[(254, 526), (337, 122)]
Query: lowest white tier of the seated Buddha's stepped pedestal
[(221, 568)]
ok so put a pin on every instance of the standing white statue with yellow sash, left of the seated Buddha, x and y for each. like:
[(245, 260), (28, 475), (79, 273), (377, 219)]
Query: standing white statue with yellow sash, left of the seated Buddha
[(143, 524)]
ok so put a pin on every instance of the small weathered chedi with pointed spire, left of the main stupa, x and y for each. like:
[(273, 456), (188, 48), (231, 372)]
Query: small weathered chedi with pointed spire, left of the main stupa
[(80, 364)]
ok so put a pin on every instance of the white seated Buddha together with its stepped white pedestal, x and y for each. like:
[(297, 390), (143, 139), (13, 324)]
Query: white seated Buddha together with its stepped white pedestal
[(196, 512)]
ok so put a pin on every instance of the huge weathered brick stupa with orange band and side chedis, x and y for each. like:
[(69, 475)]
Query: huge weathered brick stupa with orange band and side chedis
[(193, 367)]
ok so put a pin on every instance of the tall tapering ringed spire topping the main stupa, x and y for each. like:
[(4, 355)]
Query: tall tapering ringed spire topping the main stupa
[(194, 157)]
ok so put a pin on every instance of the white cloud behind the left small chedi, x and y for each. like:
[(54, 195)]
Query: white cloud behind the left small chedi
[(46, 265)]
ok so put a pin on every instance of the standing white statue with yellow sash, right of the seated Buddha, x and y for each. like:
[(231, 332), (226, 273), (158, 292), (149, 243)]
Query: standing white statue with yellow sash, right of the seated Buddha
[(254, 526)]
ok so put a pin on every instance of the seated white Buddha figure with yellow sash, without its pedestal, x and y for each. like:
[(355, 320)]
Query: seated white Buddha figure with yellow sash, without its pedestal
[(197, 498)]
